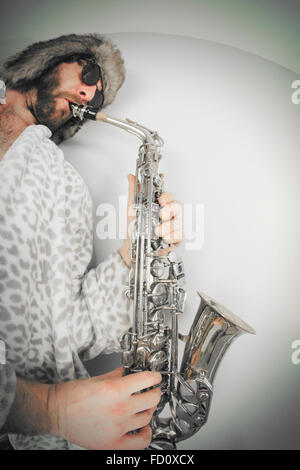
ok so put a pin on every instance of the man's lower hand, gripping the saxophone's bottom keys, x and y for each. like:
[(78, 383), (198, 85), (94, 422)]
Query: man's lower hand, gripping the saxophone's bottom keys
[(97, 413)]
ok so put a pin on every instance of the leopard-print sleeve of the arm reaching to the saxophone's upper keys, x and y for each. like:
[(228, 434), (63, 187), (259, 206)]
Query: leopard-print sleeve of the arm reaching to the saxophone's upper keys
[(101, 311)]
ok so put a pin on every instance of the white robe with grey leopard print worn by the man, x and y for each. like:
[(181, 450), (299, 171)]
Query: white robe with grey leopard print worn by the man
[(54, 313)]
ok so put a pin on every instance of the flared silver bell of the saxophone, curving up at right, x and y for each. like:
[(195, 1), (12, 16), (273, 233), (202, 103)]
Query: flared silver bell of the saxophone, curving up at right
[(212, 332)]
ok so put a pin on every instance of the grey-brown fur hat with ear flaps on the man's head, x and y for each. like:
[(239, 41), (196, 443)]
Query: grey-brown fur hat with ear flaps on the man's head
[(28, 65)]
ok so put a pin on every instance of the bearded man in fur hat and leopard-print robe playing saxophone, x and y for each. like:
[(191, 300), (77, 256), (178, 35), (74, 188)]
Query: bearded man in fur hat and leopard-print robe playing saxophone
[(54, 313)]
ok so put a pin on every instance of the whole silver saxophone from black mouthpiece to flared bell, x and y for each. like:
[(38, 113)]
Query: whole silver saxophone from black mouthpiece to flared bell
[(156, 287)]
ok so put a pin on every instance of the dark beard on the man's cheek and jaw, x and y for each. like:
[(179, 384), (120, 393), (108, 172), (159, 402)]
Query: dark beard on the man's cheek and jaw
[(45, 106)]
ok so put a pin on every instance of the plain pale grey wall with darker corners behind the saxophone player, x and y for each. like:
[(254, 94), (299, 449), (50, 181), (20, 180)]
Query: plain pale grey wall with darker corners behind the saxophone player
[(214, 78)]
